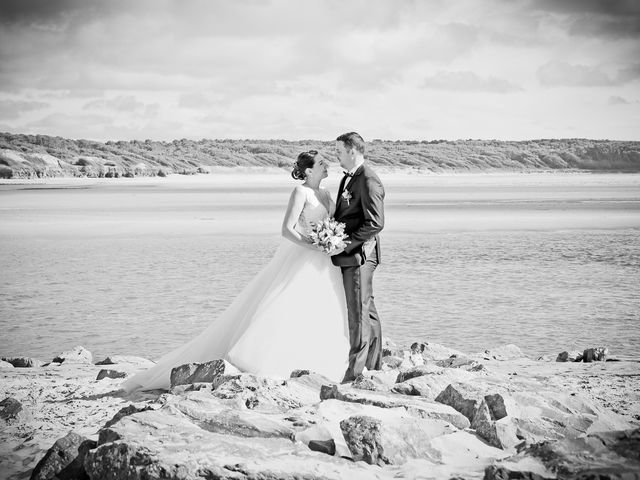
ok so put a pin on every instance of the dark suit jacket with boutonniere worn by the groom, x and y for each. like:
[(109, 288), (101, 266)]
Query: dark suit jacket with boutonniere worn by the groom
[(360, 206)]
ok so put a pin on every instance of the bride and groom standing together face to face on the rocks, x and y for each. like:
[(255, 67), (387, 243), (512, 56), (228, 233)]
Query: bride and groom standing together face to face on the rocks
[(305, 309)]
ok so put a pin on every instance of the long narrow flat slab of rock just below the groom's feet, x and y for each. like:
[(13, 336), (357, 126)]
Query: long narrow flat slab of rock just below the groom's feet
[(414, 406)]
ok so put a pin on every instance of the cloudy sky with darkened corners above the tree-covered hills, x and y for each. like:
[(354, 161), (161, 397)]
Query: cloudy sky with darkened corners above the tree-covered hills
[(311, 69)]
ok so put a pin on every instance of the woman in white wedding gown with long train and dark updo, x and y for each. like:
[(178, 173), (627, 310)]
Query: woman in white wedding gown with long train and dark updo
[(291, 315)]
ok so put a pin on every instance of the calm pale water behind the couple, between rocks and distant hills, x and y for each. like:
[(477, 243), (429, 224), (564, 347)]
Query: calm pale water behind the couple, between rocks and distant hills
[(549, 262)]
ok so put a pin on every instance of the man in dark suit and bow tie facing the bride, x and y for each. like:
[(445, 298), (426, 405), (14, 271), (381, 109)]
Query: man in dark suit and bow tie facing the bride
[(360, 206)]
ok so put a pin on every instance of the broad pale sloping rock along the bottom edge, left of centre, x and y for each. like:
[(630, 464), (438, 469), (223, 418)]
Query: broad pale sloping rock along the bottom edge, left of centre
[(166, 444)]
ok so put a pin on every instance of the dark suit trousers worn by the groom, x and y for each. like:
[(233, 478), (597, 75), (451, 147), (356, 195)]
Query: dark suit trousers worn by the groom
[(365, 332)]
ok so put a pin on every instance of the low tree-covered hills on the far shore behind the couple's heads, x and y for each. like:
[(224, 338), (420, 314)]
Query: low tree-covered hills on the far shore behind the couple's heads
[(30, 156)]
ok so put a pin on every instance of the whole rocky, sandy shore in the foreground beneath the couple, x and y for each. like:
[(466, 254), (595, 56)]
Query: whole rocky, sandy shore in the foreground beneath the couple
[(432, 412)]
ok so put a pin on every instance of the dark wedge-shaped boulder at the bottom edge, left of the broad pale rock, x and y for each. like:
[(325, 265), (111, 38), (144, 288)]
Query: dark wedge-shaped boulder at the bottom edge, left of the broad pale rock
[(65, 459)]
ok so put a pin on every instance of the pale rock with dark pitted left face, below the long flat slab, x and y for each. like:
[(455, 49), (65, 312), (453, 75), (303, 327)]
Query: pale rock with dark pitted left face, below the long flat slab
[(381, 443)]
